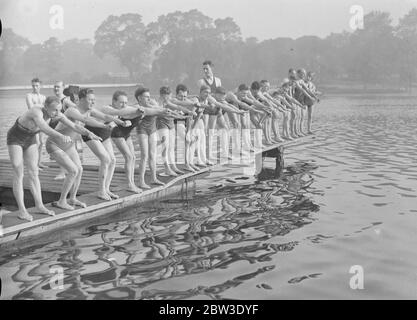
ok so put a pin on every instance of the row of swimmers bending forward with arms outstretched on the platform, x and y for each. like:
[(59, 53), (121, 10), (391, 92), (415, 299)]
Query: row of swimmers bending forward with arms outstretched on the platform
[(64, 119)]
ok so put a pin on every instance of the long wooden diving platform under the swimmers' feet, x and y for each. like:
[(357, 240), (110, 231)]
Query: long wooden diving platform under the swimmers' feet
[(15, 232)]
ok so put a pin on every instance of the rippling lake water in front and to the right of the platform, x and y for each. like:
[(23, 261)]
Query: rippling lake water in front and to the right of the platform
[(347, 198)]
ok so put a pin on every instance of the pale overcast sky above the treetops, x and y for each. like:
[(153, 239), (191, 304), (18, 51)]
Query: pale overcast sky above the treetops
[(263, 19)]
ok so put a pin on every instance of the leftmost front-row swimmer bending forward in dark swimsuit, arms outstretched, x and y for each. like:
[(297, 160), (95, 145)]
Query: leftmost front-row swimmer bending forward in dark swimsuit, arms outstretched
[(21, 144)]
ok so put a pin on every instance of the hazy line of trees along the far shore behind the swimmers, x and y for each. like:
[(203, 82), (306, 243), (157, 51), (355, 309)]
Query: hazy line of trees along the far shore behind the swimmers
[(170, 50)]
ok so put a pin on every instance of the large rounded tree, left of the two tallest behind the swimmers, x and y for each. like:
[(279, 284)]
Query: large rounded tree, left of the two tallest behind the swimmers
[(124, 37)]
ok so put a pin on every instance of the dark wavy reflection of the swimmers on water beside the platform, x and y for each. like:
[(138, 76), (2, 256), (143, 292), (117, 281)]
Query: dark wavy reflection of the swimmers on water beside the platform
[(177, 239)]
